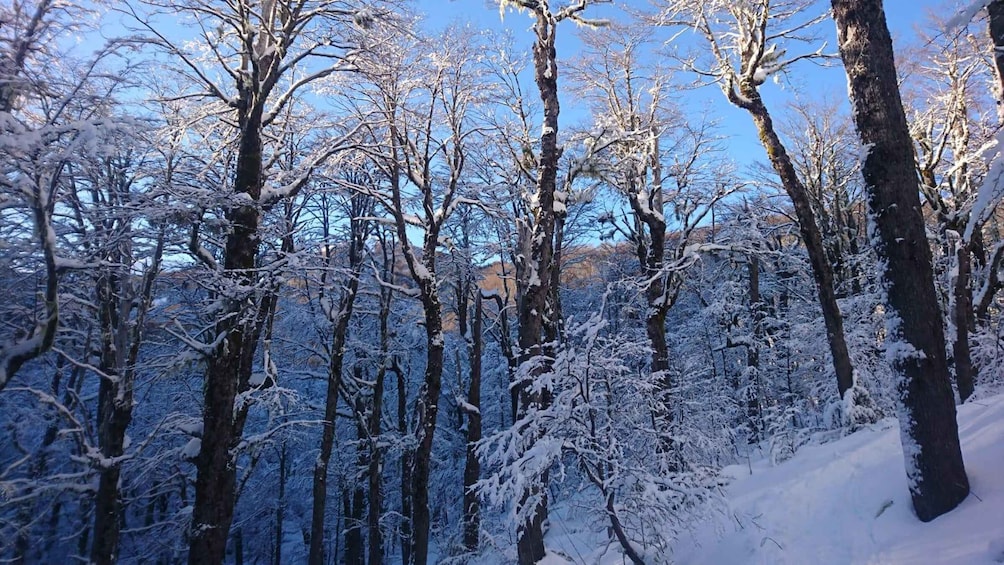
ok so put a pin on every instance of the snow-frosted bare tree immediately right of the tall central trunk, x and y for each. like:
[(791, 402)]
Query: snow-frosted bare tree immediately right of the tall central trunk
[(666, 168)]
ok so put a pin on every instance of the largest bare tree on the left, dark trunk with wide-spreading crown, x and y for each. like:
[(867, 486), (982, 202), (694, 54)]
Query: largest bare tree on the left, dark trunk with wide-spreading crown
[(258, 59)]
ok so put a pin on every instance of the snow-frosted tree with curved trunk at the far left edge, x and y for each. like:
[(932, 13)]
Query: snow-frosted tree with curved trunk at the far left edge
[(44, 130)]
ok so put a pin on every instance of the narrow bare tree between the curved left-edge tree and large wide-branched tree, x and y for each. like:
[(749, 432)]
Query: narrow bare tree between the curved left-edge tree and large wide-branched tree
[(123, 303)]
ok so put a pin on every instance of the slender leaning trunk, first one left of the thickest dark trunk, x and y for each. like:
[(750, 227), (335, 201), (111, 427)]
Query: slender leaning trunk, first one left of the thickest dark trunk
[(823, 271)]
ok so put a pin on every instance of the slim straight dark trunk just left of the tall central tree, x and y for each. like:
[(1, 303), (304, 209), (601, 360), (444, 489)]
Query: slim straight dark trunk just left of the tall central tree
[(472, 467)]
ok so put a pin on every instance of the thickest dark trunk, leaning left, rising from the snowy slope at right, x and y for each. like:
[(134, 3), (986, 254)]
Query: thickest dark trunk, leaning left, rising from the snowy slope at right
[(938, 481)]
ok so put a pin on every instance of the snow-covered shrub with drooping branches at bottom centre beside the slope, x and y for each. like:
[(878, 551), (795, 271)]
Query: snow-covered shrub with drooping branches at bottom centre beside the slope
[(599, 431)]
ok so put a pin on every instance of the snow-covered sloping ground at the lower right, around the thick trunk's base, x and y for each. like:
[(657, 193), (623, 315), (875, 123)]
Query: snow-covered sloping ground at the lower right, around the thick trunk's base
[(841, 503)]
